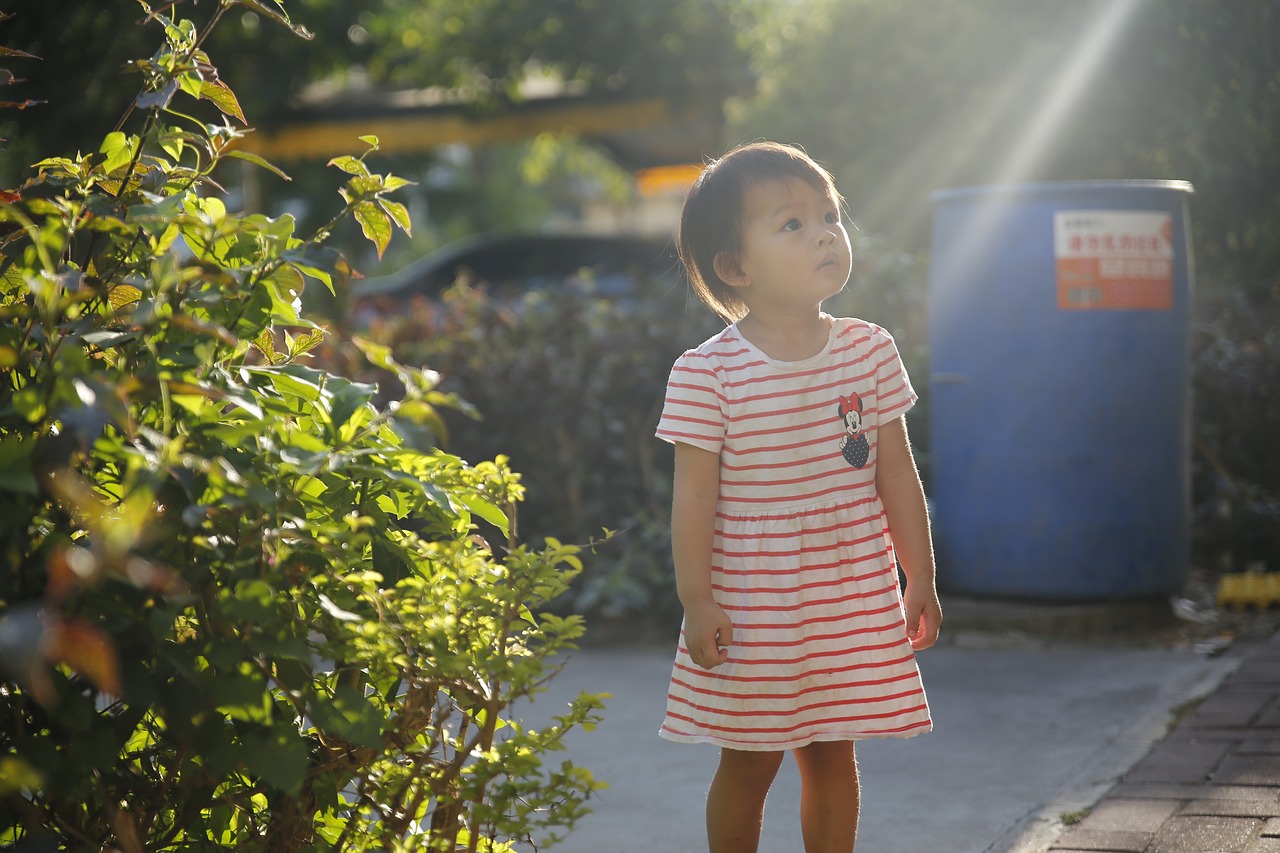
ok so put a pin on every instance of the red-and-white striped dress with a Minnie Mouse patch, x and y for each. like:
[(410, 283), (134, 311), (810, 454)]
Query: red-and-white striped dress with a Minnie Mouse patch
[(802, 560)]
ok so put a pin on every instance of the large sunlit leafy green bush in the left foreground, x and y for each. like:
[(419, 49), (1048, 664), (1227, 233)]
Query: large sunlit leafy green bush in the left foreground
[(244, 605)]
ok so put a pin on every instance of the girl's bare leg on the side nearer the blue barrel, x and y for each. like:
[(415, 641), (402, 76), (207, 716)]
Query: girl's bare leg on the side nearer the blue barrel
[(829, 797)]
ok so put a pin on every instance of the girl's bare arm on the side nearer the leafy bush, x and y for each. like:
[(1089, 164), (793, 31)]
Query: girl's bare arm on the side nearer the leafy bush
[(708, 632)]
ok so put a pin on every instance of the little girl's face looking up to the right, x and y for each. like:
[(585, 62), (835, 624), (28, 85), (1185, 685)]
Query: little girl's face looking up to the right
[(796, 250)]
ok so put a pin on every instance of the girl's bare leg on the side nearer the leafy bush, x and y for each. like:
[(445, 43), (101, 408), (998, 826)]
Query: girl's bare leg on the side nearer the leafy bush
[(735, 805)]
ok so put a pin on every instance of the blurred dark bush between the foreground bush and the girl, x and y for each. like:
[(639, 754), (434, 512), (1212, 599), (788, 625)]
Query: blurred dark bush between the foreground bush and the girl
[(570, 385)]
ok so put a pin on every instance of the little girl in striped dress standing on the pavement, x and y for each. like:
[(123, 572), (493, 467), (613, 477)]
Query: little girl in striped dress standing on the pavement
[(796, 492)]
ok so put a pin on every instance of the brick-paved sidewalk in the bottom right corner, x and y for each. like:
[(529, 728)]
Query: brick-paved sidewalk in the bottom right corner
[(1213, 786)]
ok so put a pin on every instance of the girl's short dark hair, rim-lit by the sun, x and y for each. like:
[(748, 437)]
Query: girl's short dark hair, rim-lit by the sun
[(711, 221)]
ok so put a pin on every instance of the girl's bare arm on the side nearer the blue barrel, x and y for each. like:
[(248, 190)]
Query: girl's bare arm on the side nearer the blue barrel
[(899, 486)]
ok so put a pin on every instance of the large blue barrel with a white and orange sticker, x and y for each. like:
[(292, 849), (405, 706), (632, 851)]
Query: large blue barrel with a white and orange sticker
[(1060, 410)]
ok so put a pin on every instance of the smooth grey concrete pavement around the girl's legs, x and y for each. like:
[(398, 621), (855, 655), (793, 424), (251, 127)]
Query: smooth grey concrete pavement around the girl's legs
[(1027, 732)]
